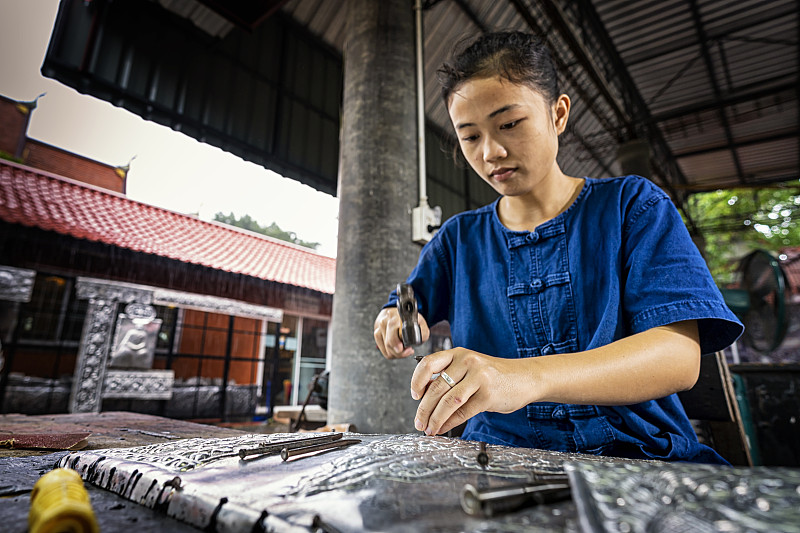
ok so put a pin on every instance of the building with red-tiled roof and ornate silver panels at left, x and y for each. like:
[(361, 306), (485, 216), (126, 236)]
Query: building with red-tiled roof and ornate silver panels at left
[(233, 322)]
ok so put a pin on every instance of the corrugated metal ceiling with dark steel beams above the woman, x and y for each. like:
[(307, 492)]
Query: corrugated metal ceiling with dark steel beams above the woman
[(703, 93)]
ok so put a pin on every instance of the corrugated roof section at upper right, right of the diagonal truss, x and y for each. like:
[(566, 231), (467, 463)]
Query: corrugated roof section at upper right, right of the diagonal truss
[(722, 77)]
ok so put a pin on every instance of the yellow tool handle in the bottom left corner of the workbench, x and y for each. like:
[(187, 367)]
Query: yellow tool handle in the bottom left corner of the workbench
[(60, 503)]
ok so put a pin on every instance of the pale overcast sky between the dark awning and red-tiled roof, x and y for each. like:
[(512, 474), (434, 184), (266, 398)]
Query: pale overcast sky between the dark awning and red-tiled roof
[(167, 169)]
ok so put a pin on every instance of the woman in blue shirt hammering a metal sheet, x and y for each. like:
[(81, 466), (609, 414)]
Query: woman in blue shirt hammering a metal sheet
[(577, 306)]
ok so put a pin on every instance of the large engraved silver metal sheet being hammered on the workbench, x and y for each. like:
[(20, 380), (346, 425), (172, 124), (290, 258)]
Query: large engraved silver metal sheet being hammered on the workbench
[(392, 483)]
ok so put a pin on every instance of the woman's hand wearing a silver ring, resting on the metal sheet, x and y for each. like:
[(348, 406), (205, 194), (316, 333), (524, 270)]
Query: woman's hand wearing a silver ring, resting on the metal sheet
[(481, 383)]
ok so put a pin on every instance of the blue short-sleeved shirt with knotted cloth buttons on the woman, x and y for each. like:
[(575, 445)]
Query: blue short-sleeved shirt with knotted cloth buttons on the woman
[(618, 261)]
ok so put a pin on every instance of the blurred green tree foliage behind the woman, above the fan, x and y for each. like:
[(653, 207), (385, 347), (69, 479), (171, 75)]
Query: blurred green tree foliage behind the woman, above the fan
[(734, 222)]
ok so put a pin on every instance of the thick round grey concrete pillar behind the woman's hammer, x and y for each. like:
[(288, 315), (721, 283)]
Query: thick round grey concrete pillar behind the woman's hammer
[(378, 186)]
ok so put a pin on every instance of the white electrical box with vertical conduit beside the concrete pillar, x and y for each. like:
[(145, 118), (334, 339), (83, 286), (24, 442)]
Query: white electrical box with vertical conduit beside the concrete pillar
[(425, 220)]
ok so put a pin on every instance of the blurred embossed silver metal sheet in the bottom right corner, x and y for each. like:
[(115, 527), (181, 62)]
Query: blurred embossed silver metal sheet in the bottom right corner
[(683, 497)]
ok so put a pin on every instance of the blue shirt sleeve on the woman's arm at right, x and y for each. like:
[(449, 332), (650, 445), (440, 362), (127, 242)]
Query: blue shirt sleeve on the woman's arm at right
[(666, 279)]
